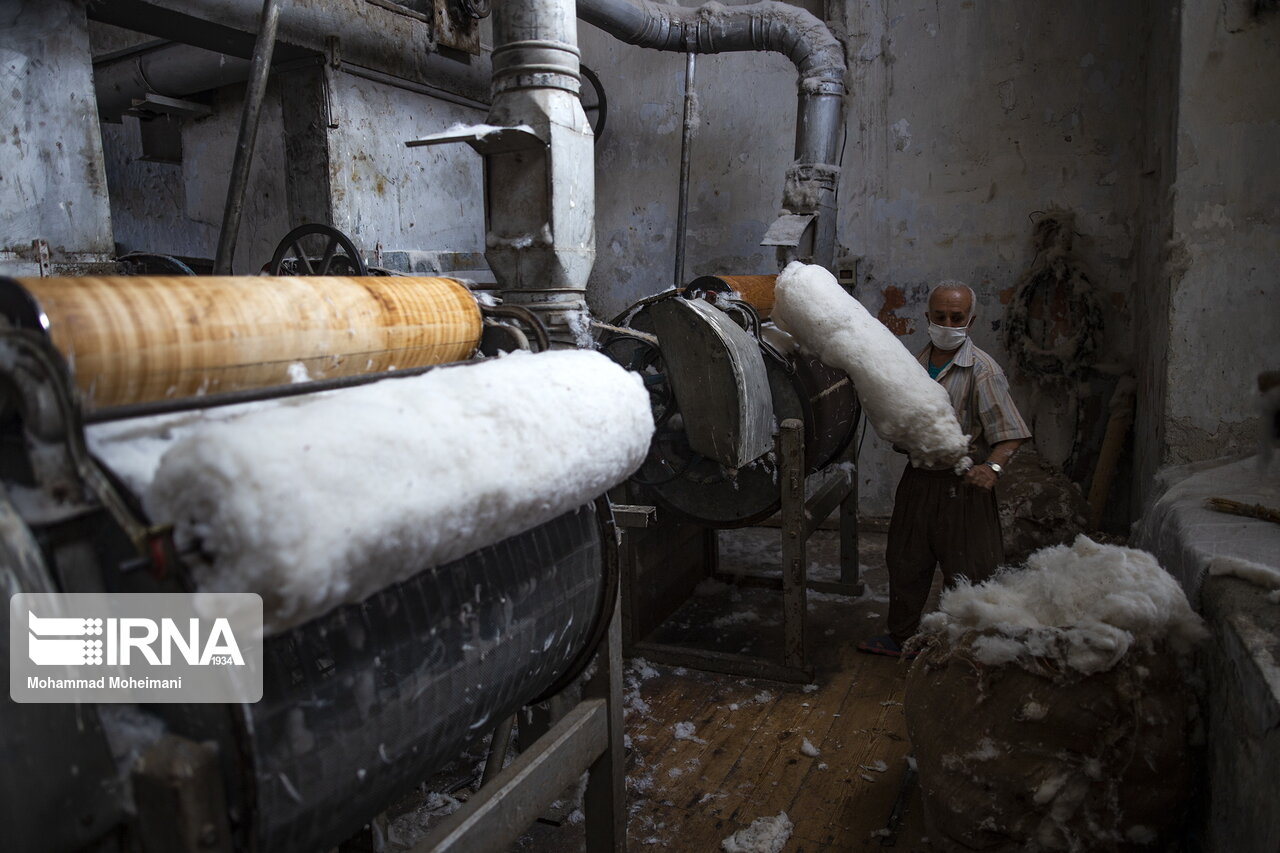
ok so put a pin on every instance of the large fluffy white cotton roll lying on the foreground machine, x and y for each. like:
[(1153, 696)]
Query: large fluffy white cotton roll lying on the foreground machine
[(327, 501)]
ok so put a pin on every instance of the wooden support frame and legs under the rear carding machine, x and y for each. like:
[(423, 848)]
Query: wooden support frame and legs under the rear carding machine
[(801, 519)]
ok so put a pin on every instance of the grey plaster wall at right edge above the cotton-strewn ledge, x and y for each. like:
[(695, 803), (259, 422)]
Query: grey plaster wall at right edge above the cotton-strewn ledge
[(1208, 282)]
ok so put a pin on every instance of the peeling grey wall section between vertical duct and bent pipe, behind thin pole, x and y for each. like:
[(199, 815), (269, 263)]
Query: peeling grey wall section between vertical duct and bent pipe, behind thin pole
[(744, 143)]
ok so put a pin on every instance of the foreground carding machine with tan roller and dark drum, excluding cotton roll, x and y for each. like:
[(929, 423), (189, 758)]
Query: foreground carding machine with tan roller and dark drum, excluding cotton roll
[(360, 705)]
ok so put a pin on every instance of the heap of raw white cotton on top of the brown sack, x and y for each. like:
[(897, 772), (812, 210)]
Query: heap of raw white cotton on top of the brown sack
[(1082, 606)]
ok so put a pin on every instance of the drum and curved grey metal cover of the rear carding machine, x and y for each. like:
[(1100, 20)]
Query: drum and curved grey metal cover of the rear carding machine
[(721, 381)]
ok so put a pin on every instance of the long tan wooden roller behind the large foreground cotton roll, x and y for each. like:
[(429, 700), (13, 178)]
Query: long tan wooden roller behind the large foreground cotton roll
[(134, 340)]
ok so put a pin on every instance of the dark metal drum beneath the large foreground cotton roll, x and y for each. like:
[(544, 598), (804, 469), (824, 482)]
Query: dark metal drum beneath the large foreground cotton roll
[(367, 703)]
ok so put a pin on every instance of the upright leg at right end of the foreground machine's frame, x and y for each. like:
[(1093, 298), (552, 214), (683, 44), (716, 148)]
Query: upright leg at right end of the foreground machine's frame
[(605, 802)]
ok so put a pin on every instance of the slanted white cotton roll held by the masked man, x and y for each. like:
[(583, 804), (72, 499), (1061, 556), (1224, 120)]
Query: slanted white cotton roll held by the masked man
[(904, 405)]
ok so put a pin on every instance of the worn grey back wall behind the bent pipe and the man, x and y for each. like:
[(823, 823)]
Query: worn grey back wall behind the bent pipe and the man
[(963, 121)]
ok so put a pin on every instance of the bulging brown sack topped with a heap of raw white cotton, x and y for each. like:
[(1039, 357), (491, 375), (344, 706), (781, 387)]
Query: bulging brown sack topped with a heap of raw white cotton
[(1067, 703)]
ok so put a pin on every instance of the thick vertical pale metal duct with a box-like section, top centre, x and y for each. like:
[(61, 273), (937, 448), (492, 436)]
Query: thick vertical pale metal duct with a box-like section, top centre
[(541, 171)]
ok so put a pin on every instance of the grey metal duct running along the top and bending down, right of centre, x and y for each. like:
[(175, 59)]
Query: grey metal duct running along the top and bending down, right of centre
[(810, 193)]
